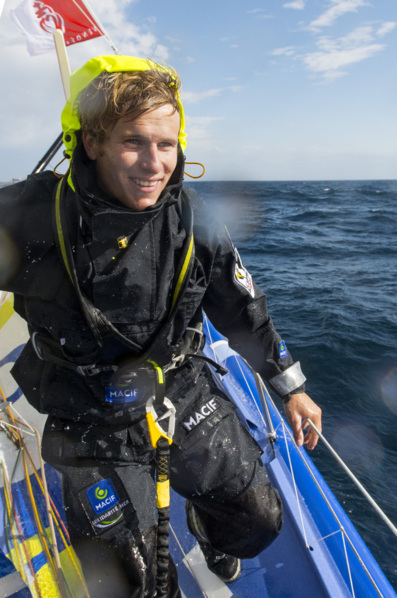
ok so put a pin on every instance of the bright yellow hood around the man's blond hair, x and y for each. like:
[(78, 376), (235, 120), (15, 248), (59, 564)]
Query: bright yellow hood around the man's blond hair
[(83, 77)]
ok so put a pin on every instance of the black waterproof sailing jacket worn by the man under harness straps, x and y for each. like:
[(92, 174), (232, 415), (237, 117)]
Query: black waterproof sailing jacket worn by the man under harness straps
[(131, 286)]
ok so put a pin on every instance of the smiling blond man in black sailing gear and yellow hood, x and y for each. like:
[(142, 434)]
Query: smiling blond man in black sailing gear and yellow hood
[(113, 292)]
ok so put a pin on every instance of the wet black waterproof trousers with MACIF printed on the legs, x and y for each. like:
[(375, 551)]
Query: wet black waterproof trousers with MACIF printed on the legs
[(109, 490)]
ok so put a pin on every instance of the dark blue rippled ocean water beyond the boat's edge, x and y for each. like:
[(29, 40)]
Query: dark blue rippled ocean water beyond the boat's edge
[(325, 253)]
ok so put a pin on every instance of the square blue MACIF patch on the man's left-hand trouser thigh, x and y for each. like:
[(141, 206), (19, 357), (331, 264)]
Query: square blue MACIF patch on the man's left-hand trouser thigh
[(106, 503)]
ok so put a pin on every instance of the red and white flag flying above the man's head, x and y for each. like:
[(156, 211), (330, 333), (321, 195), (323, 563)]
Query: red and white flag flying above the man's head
[(38, 19)]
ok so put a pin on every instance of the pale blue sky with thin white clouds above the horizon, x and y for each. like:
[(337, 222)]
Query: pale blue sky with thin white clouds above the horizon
[(273, 90)]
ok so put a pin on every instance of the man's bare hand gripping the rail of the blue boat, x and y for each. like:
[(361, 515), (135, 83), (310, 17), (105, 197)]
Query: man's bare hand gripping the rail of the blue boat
[(297, 409)]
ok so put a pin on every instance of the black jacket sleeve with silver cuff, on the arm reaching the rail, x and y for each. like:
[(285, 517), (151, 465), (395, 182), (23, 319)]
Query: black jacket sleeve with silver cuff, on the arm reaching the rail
[(238, 309)]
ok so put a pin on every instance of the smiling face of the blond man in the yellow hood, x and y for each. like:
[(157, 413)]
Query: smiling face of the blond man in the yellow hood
[(138, 156)]
